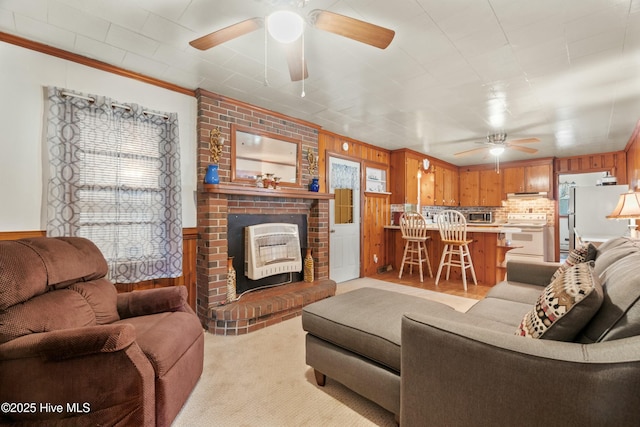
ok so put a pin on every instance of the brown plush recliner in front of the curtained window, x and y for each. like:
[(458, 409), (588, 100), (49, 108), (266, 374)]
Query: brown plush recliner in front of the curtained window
[(75, 352)]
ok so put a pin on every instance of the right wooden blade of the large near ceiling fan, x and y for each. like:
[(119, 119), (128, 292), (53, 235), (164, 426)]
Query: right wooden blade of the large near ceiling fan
[(352, 28)]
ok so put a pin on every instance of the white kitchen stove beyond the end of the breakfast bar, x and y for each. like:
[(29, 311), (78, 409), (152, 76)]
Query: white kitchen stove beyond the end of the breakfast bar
[(531, 242)]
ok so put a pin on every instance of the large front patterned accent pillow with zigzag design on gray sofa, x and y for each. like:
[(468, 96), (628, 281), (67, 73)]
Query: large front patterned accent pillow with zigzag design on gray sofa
[(565, 306)]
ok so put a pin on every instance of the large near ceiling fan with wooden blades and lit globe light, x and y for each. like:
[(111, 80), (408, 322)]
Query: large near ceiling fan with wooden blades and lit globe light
[(341, 25)]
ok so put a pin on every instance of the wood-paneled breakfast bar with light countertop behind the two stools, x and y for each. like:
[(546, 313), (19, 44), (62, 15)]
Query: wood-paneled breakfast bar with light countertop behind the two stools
[(488, 250)]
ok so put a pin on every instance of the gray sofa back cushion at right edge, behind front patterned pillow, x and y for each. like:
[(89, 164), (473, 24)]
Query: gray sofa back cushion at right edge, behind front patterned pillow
[(619, 315)]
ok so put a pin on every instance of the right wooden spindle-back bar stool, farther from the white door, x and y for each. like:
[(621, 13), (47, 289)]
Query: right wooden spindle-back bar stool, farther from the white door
[(453, 233)]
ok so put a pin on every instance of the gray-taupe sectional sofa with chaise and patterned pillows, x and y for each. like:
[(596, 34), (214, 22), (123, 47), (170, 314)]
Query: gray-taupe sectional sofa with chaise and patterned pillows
[(548, 346)]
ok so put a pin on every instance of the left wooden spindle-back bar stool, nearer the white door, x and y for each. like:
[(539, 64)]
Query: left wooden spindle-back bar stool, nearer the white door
[(414, 232)]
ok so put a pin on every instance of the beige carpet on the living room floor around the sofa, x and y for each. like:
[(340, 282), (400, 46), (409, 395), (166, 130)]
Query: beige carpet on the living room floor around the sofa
[(261, 379)]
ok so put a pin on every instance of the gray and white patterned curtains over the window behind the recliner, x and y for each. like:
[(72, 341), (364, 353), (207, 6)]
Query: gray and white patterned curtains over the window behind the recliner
[(114, 178)]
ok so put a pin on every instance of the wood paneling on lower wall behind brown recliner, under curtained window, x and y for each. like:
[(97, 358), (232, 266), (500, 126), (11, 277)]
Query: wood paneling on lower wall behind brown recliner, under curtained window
[(187, 279)]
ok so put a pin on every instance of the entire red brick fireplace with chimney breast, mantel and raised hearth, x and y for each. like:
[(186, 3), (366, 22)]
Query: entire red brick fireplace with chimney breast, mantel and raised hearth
[(216, 203)]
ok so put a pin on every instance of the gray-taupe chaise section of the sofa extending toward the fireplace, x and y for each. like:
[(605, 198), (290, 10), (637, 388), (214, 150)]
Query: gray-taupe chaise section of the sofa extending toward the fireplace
[(366, 321)]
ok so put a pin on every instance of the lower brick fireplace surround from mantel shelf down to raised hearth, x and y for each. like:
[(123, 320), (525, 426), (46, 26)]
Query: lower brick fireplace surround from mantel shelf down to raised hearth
[(224, 208)]
